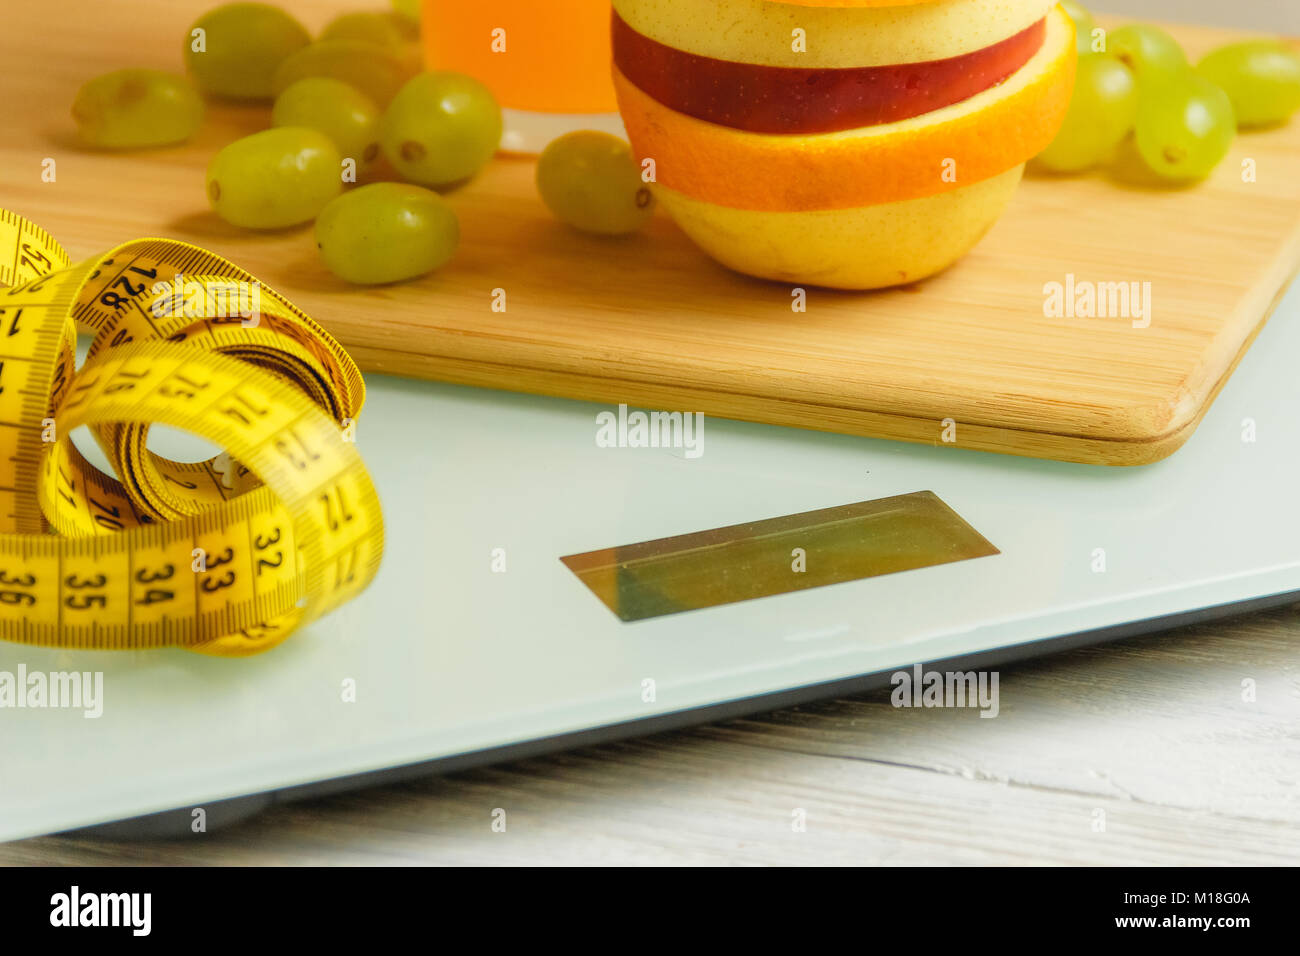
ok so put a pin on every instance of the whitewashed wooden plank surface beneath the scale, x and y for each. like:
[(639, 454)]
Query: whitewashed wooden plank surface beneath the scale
[(1151, 733)]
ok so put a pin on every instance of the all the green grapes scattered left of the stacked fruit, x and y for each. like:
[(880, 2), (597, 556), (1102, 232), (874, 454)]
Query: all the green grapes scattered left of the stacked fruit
[(343, 103)]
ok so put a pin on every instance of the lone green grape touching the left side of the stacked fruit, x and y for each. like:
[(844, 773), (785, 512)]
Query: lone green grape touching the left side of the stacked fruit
[(591, 181)]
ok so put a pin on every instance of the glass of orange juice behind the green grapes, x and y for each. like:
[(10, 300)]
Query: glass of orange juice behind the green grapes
[(548, 62)]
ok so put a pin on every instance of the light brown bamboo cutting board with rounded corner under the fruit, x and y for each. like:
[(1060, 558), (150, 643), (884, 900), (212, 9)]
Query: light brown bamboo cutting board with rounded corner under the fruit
[(651, 322)]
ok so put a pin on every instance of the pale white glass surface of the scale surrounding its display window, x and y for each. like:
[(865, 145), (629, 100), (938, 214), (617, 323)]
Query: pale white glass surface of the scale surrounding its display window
[(457, 664)]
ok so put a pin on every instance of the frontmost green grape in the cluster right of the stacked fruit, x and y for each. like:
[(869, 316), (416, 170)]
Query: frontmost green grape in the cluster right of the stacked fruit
[(1185, 128)]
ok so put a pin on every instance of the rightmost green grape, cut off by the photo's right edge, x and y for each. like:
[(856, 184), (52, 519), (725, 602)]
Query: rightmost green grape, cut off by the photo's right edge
[(1262, 79)]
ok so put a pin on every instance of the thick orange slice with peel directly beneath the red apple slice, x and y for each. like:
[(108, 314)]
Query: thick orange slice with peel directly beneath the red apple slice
[(928, 155)]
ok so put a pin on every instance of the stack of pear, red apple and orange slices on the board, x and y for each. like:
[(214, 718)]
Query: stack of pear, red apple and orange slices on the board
[(847, 144)]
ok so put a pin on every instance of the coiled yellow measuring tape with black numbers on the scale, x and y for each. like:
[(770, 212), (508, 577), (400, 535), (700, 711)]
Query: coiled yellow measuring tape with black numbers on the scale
[(223, 557)]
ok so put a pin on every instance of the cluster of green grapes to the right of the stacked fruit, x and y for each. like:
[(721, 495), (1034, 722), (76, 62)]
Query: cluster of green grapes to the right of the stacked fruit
[(1184, 119)]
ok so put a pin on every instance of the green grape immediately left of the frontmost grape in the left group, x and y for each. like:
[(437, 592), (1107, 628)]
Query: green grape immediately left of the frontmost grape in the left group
[(275, 179)]
